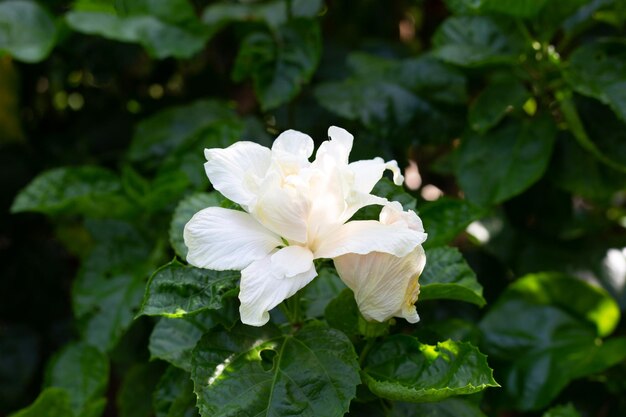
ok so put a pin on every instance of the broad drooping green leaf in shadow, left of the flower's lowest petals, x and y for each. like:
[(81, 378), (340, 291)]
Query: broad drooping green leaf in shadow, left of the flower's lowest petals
[(111, 282)]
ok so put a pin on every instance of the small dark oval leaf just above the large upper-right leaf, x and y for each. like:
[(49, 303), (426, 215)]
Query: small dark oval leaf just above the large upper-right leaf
[(494, 102)]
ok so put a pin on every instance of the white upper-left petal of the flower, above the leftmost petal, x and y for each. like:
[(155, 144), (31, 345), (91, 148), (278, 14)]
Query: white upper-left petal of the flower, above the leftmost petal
[(235, 170)]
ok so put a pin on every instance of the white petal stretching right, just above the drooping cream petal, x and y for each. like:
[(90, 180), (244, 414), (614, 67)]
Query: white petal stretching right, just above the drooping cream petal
[(365, 236)]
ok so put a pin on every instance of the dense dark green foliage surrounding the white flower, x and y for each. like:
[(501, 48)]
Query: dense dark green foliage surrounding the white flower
[(514, 112)]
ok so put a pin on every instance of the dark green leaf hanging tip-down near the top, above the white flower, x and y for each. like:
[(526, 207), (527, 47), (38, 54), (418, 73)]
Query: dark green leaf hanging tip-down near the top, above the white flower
[(279, 63)]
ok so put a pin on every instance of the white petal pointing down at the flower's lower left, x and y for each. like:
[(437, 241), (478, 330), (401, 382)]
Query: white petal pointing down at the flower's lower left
[(264, 286)]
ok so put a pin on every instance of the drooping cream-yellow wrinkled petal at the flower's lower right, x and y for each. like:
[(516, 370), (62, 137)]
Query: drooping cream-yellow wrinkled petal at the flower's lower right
[(384, 285)]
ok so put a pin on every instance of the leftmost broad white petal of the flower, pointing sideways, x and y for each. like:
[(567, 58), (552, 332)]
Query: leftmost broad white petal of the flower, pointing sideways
[(221, 239)]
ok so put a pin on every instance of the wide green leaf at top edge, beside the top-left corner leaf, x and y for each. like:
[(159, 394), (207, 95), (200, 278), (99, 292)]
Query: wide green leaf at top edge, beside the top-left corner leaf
[(165, 29)]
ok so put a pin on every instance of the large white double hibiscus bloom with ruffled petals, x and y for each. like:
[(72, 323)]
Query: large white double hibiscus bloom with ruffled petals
[(296, 211)]
